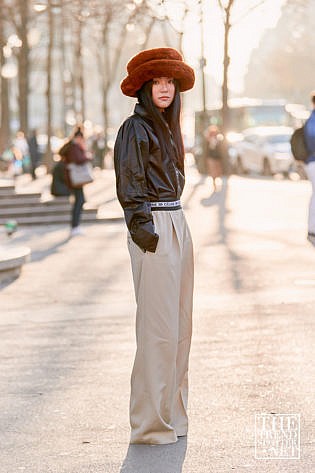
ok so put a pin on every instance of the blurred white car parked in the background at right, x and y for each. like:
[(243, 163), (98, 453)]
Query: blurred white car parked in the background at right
[(264, 150)]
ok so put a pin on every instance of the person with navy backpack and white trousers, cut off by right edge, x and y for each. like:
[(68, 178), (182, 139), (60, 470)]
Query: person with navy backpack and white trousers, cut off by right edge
[(309, 133)]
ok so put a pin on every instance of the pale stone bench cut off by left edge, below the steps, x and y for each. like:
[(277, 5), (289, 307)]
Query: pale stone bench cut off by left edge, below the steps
[(11, 262)]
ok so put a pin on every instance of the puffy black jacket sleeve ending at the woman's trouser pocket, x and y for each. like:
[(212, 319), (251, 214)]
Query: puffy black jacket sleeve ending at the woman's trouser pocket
[(130, 155)]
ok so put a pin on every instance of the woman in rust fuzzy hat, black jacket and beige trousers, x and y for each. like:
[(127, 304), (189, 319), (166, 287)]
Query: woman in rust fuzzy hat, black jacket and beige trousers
[(149, 165)]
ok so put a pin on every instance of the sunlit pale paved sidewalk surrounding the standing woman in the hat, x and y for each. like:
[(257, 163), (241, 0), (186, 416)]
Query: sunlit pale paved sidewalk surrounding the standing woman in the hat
[(67, 339)]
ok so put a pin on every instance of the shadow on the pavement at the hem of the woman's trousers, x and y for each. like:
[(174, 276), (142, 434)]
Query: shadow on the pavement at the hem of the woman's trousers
[(155, 458)]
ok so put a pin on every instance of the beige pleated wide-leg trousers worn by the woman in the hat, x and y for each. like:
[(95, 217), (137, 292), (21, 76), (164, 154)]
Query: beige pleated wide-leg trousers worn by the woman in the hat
[(163, 284)]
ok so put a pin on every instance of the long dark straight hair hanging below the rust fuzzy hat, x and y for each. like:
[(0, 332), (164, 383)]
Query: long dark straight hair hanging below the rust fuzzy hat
[(164, 123)]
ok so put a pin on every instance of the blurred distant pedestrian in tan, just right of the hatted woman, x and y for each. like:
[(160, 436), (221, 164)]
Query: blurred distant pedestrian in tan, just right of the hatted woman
[(214, 155)]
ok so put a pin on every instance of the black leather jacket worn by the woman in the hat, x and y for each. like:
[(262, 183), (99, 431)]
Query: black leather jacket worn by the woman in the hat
[(143, 175)]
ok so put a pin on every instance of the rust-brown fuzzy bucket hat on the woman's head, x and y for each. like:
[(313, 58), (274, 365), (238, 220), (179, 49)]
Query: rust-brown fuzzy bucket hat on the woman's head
[(158, 62)]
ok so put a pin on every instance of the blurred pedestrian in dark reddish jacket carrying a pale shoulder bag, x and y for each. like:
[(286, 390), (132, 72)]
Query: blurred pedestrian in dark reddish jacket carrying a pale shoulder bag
[(74, 151)]
